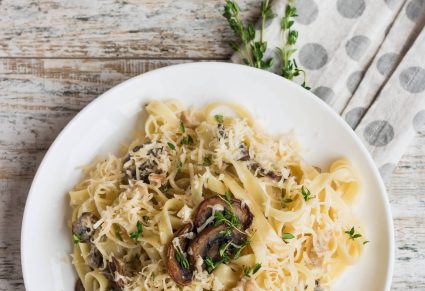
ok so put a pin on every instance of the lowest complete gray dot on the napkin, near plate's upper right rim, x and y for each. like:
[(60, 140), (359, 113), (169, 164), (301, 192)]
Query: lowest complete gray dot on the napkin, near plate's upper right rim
[(379, 133)]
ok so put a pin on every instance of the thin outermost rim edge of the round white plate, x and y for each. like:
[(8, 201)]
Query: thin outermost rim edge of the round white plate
[(377, 177)]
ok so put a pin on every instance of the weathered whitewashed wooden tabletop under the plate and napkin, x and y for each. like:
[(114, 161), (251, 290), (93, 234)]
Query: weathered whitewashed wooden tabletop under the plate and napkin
[(57, 56)]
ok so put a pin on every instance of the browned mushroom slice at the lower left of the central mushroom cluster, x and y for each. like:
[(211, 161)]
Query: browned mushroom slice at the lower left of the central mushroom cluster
[(182, 275)]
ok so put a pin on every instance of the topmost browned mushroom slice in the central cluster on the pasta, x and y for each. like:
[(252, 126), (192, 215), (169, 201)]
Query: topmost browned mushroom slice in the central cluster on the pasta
[(205, 210)]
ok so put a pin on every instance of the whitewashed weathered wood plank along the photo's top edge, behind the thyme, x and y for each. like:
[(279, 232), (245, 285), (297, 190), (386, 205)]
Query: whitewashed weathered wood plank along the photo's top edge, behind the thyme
[(109, 28)]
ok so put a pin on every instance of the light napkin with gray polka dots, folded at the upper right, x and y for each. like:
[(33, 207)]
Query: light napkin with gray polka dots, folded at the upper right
[(365, 59)]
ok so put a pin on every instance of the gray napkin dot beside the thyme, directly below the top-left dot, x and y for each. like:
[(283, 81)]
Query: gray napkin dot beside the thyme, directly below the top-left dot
[(313, 56)]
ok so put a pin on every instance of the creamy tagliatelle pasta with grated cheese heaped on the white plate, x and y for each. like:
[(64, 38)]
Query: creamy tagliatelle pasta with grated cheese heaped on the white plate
[(127, 210)]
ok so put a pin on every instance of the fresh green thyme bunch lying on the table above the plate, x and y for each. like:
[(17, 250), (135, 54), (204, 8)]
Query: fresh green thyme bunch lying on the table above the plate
[(252, 51)]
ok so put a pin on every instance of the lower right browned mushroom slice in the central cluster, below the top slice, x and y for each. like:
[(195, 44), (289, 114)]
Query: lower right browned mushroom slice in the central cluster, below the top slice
[(208, 243)]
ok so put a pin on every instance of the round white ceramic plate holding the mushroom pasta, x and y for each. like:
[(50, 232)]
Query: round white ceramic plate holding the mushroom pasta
[(107, 121)]
